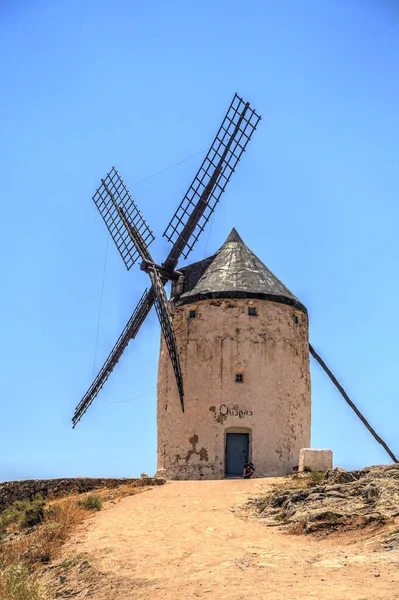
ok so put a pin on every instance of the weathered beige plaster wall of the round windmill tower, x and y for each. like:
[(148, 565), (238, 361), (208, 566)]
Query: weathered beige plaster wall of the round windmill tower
[(271, 350)]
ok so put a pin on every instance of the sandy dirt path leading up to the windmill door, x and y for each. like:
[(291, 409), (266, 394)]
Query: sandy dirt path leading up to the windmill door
[(183, 541)]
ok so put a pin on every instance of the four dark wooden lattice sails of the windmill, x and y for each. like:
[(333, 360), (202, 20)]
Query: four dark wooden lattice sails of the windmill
[(132, 236)]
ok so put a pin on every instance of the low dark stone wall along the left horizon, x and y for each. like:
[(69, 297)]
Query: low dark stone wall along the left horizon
[(10, 491)]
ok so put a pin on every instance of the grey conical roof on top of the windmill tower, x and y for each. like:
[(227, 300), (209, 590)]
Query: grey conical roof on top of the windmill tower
[(235, 272)]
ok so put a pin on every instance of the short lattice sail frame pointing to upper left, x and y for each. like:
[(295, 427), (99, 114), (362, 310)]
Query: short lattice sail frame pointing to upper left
[(111, 196)]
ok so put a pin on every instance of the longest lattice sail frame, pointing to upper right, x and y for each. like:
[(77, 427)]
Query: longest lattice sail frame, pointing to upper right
[(214, 174)]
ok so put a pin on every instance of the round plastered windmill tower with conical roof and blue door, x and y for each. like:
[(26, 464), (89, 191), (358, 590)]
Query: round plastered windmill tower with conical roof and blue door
[(244, 349)]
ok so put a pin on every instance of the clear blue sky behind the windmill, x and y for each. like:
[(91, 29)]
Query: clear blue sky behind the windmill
[(143, 86)]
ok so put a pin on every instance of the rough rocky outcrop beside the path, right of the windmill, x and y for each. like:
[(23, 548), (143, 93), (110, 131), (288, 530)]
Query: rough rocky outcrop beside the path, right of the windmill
[(338, 499)]
